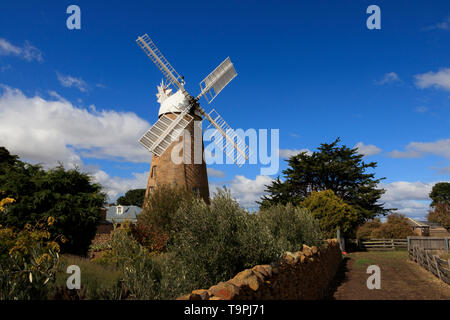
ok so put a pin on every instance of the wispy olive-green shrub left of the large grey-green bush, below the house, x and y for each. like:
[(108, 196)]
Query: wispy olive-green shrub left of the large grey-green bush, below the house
[(141, 273)]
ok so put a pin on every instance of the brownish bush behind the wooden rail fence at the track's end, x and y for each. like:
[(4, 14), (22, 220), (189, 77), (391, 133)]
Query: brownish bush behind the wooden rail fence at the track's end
[(396, 227)]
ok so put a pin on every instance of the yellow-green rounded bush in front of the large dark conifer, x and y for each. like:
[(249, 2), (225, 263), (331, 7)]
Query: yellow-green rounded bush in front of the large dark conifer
[(332, 213)]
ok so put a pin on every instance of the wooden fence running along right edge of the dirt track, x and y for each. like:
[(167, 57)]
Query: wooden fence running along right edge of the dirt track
[(431, 262)]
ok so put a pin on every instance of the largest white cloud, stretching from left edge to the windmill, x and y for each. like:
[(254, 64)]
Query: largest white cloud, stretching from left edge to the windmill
[(46, 131)]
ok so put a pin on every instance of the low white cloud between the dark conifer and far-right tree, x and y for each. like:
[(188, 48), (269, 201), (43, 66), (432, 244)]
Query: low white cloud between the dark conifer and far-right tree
[(410, 198)]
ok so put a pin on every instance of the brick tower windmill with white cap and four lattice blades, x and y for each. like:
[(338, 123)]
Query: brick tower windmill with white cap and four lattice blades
[(177, 114)]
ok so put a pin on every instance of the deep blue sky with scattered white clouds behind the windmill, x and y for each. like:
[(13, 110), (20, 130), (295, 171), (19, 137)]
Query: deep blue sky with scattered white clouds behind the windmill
[(310, 69)]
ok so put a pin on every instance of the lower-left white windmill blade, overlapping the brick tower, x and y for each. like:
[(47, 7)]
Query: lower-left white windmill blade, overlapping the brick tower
[(165, 131)]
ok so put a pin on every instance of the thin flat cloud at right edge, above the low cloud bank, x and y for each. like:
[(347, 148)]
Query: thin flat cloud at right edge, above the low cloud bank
[(418, 149)]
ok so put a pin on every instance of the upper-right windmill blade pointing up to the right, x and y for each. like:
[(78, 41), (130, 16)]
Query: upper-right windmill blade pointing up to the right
[(217, 80)]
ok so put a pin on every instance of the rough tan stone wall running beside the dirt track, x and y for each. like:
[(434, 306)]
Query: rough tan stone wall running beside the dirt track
[(305, 275)]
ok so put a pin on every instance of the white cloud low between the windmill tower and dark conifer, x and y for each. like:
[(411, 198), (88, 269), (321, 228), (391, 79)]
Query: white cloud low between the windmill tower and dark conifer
[(245, 191)]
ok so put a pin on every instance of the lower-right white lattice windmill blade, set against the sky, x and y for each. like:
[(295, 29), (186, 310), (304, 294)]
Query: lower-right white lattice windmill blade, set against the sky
[(231, 139)]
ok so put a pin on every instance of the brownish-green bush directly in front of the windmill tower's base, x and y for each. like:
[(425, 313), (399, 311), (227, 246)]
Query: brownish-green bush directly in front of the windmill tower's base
[(161, 205)]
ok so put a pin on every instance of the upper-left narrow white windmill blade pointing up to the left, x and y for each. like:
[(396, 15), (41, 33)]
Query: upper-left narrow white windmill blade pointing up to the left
[(157, 57)]
